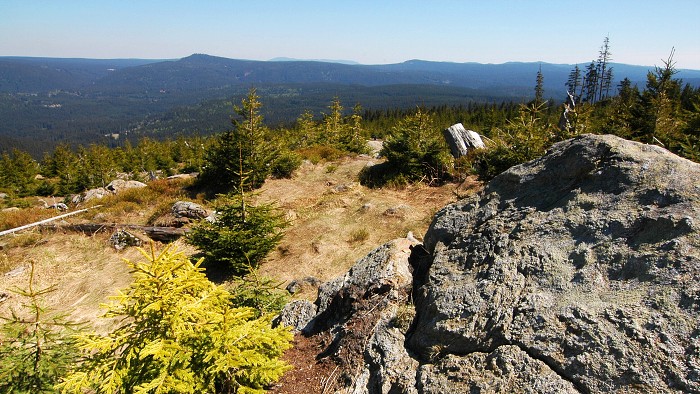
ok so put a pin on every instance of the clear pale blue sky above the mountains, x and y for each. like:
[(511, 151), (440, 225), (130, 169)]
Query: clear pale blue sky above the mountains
[(370, 32)]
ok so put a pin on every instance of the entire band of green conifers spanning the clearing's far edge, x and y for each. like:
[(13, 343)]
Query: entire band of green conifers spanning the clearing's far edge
[(665, 112)]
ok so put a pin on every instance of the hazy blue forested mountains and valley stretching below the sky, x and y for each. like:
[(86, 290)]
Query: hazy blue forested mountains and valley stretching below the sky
[(79, 100)]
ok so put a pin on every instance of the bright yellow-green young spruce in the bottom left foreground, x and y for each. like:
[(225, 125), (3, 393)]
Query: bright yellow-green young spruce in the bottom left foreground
[(179, 333)]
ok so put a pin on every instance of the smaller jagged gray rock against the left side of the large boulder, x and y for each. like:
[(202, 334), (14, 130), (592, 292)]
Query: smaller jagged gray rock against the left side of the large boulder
[(358, 310)]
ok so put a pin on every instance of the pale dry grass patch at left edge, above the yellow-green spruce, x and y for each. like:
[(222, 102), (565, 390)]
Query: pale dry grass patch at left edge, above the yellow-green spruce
[(85, 269)]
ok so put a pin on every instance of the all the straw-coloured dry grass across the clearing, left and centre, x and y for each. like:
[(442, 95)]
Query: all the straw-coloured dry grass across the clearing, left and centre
[(334, 222)]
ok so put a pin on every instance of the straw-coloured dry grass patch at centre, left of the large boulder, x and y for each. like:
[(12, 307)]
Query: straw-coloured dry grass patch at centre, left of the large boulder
[(332, 212)]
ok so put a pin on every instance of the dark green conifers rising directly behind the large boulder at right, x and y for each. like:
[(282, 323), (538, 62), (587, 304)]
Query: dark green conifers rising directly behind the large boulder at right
[(664, 112)]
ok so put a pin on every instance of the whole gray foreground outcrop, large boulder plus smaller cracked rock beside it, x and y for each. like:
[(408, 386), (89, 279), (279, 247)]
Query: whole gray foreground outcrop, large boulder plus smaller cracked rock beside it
[(576, 272)]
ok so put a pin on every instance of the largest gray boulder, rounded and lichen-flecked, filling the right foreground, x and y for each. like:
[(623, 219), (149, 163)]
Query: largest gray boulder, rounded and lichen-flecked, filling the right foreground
[(586, 260)]
